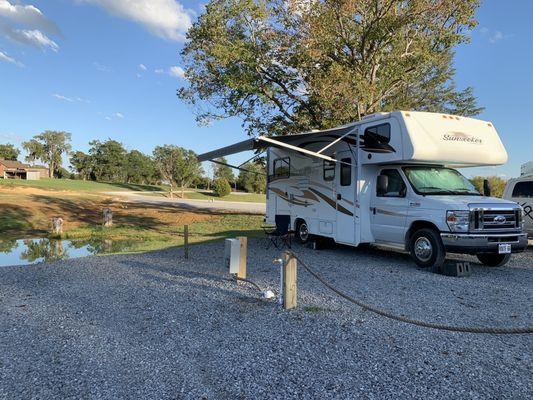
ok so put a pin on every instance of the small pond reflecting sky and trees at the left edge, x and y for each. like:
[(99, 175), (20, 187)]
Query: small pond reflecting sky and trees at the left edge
[(33, 251)]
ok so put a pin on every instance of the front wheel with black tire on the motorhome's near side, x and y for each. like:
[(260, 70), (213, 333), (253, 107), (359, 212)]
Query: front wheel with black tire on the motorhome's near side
[(427, 249)]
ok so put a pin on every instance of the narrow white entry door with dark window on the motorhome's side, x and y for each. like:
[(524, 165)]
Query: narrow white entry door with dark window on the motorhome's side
[(345, 180)]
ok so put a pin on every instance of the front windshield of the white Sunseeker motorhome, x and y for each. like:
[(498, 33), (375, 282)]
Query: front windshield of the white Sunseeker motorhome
[(439, 181)]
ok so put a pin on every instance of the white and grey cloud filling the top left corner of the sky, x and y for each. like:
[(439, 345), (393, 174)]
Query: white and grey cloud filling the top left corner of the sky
[(26, 24)]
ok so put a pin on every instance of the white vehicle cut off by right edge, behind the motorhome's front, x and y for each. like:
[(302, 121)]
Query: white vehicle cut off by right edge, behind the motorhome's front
[(520, 190)]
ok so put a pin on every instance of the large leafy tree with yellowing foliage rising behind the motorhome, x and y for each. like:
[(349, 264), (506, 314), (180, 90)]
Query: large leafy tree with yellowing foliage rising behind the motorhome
[(293, 65)]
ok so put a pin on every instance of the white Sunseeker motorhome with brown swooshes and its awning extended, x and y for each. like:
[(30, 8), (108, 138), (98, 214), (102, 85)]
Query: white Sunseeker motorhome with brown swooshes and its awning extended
[(389, 180)]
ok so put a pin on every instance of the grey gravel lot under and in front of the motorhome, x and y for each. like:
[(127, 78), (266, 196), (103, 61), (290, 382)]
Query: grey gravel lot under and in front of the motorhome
[(157, 326)]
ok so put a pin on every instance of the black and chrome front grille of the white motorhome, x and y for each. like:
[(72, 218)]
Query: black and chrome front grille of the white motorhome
[(496, 220)]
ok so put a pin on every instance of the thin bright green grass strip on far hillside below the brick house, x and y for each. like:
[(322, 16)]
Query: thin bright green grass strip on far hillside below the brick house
[(78, 185)]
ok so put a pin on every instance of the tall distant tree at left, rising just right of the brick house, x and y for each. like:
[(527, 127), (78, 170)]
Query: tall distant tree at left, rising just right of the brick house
[(49, 148)]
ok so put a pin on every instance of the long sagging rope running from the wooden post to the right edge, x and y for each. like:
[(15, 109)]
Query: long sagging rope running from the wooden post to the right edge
[(390, 315)]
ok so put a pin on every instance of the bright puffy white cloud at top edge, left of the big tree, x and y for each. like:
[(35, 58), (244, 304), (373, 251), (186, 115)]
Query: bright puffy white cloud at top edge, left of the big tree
[(167, 19)]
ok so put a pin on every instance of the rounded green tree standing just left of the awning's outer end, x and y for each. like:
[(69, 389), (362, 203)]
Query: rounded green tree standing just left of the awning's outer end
[(178, 166)]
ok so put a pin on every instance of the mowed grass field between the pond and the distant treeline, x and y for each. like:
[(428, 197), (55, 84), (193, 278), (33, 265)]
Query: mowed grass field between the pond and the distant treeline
[(28, 206)]
